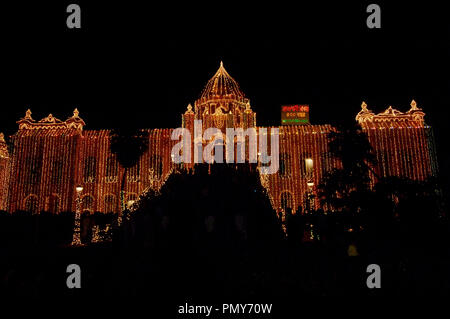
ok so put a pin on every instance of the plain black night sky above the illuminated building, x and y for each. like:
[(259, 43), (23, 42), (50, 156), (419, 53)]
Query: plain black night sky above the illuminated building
[(142, 65)]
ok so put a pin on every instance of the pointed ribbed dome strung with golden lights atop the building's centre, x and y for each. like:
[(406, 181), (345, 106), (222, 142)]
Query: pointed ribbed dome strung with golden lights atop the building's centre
[(221, 84)]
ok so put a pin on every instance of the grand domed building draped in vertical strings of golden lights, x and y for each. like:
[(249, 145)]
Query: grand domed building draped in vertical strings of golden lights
[(48, 158)]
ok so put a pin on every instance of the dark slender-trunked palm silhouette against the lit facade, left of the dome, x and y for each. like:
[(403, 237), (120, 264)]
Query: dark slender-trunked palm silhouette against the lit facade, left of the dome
[(128, 145)]
